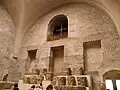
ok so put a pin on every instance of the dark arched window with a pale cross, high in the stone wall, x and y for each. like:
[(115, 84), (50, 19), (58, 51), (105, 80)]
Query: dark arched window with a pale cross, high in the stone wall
[(58, 28)]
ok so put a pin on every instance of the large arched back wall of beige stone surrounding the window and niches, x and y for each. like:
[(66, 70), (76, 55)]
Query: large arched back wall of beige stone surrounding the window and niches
[(86, 23)]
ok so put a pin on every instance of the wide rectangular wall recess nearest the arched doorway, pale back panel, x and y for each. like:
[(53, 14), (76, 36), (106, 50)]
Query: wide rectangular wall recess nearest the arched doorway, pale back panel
[(92, 55)]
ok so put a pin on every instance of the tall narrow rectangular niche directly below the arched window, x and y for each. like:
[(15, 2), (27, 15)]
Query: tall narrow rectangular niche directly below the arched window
[(57, 59)]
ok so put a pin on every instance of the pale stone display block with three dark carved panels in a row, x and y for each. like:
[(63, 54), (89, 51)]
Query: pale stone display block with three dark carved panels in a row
[(73, 82)]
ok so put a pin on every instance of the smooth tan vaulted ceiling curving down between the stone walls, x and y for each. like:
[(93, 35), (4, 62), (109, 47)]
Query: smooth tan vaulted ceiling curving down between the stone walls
[(26, 12)]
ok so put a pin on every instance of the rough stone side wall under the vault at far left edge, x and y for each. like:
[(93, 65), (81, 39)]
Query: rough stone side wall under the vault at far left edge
[(7, 33)]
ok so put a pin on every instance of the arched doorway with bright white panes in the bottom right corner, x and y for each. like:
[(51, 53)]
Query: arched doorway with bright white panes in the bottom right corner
[(112, 79)]
